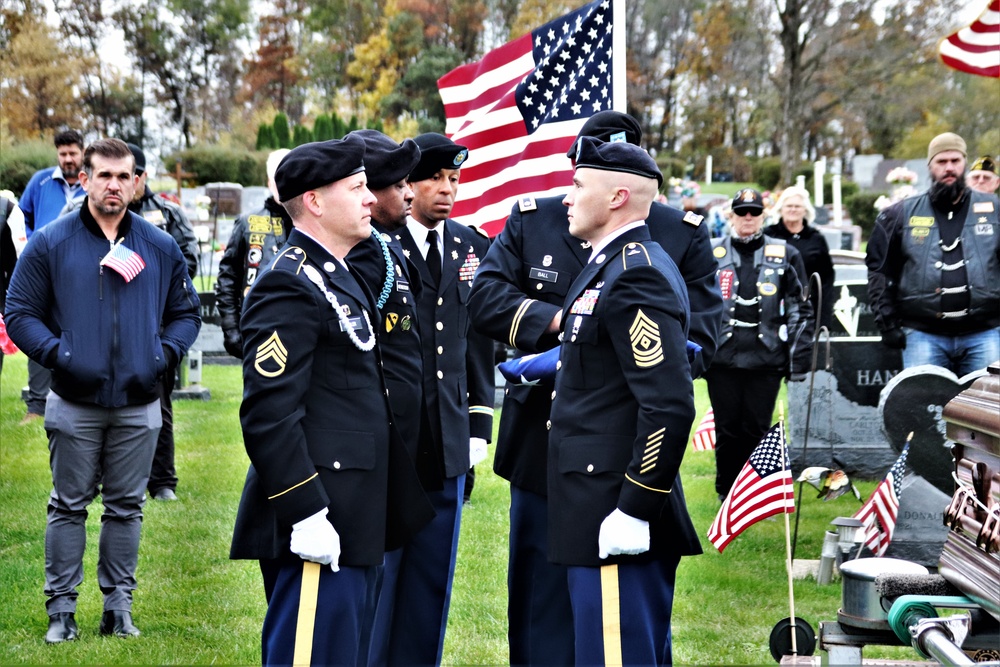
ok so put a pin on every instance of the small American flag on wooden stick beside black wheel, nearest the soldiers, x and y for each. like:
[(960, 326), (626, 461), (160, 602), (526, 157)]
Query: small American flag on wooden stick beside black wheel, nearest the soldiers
[(762, 489)]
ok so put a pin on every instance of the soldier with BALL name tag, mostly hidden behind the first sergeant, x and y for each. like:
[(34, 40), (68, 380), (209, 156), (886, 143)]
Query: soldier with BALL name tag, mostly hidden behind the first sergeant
[(517, 298)]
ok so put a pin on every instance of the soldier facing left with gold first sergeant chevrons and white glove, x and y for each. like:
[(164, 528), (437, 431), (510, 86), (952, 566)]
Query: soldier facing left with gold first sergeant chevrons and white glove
[(621, 414)]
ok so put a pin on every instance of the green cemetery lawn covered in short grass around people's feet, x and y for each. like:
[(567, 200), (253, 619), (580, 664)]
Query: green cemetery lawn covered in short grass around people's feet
[(195, 606)]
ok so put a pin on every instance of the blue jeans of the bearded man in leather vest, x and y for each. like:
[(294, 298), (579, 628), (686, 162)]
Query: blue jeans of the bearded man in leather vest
[(959, 354)]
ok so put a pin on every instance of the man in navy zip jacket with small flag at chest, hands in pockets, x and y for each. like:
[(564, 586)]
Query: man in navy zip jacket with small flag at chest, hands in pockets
[(103, 299)]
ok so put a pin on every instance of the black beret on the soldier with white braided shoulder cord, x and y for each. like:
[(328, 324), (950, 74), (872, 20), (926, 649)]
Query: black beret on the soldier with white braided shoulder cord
[(311, 166)]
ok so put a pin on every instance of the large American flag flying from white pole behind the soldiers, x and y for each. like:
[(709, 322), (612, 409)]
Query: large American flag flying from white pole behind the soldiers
[(520, 107)]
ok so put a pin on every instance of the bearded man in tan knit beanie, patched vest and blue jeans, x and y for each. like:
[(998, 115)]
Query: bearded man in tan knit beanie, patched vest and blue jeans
[(934, 269)]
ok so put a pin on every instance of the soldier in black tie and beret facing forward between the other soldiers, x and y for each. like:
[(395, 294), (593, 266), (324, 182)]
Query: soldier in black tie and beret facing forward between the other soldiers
[(457, 419)]
